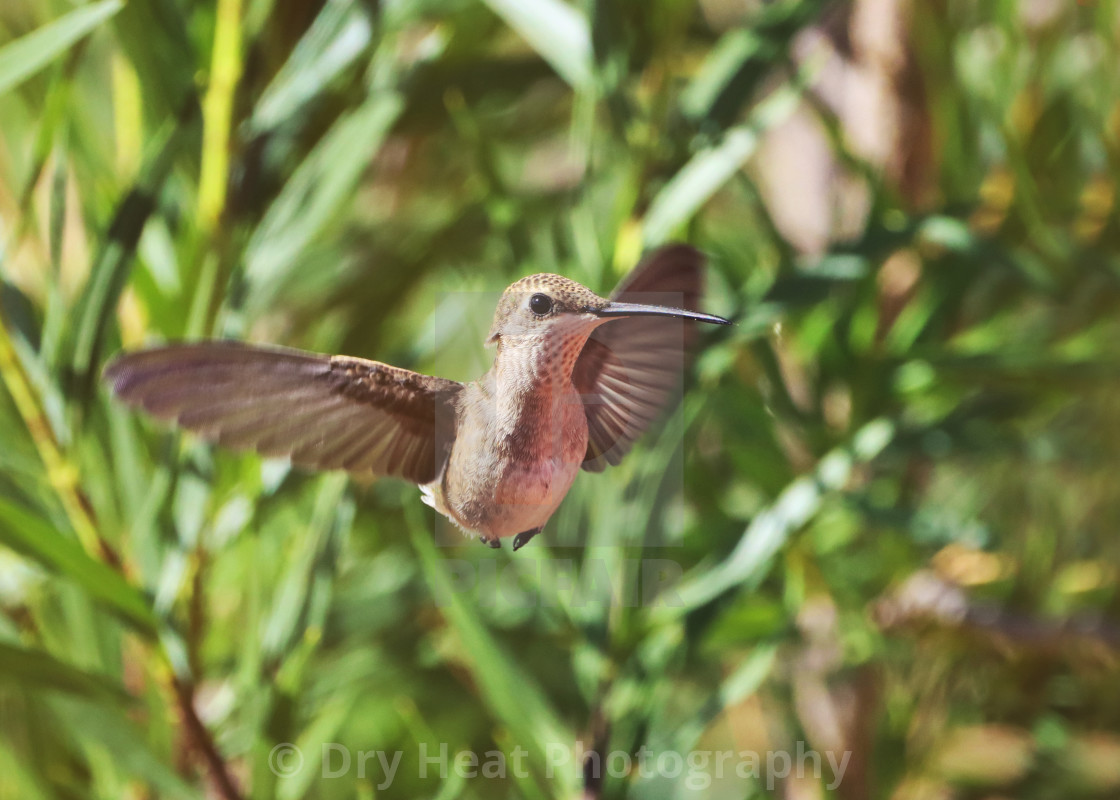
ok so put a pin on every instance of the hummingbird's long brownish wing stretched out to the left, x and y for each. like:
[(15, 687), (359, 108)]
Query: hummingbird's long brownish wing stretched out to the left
[(323, 412)]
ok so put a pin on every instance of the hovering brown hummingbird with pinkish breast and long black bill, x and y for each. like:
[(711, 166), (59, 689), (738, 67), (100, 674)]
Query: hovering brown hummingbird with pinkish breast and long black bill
[(576, 380)]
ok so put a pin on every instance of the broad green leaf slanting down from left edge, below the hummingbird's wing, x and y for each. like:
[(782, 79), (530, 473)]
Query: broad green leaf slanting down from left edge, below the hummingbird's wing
[(35, 538)]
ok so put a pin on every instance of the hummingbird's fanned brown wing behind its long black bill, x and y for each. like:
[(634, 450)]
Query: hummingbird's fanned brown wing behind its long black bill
[(629, 369)]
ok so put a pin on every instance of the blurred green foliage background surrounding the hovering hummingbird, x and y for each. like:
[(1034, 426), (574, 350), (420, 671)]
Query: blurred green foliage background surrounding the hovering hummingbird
[(890, 490)]
